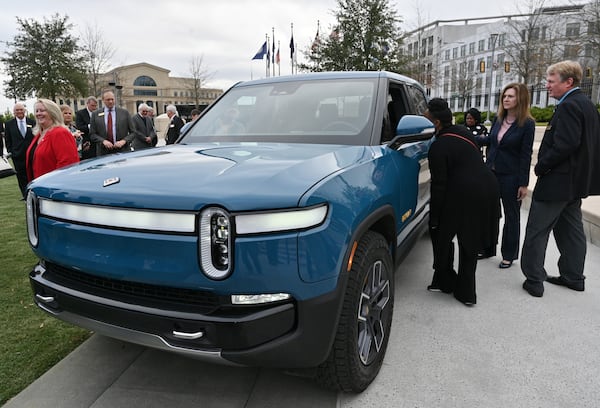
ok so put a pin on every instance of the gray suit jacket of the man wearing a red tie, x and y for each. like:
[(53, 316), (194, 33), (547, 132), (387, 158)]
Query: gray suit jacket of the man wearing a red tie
[(124, 125)]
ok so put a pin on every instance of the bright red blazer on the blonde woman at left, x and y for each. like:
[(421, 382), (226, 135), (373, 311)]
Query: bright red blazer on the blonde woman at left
[(58, 149)]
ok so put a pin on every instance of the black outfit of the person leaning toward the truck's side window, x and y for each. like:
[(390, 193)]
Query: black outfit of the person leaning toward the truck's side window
[(465, 203)]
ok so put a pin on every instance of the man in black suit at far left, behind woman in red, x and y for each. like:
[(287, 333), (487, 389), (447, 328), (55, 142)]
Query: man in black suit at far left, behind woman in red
[(18, 135)]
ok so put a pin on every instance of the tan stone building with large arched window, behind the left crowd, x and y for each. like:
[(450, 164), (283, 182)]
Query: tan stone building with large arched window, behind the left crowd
[(143, 82)]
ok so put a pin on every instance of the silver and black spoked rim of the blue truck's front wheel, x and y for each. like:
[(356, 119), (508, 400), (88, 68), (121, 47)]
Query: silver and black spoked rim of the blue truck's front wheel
[(373, 312)]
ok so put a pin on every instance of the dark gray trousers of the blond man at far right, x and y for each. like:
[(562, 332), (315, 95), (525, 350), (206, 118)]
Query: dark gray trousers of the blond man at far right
[(564, 219)]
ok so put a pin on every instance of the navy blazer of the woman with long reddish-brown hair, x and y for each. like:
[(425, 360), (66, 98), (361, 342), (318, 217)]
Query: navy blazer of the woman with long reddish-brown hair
[(513, 154)]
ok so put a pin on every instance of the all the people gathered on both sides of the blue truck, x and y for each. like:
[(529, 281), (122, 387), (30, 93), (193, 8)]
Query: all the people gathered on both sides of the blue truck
[(477, 176)]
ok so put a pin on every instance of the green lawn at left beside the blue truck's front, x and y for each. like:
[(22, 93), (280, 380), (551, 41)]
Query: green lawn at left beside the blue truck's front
[(31, 341)]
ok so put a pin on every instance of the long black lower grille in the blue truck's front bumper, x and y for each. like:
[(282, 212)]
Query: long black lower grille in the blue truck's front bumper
[(180, 299)]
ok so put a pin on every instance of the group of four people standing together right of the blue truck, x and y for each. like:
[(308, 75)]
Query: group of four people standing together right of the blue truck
[(468, 184)]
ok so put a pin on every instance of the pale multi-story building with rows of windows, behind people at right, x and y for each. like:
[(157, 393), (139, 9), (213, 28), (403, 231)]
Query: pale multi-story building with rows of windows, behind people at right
[(469, 61)]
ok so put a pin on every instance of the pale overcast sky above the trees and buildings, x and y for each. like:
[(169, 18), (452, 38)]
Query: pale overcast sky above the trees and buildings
[(227, 33)]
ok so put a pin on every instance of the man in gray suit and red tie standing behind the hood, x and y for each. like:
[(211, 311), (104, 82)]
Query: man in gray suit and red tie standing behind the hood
[(111, 128)]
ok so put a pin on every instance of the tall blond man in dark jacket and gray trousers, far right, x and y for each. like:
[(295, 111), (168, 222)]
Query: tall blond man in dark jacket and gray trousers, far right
[(568, 170)]
